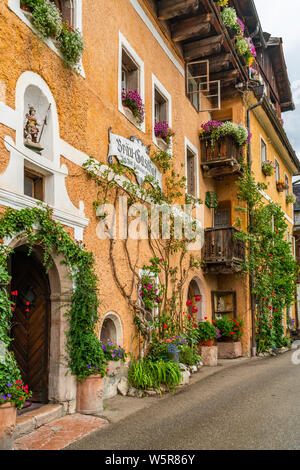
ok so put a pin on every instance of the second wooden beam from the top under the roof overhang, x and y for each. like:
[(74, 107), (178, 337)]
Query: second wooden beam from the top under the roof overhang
[(190, 27)]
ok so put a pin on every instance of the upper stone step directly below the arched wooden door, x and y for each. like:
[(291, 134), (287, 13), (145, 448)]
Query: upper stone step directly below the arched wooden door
[(32, 420)]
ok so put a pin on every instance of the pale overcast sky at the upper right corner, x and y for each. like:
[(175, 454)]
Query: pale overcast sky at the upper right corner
[(281, 19)]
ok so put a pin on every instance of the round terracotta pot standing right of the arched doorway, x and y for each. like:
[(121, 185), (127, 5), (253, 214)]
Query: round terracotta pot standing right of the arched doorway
[(90, 395)]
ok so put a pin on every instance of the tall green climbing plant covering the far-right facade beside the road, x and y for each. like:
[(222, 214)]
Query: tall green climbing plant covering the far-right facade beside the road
[(269, 260)]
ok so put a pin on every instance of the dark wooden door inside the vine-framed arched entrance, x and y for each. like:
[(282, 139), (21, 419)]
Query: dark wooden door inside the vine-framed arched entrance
[(30, 324)]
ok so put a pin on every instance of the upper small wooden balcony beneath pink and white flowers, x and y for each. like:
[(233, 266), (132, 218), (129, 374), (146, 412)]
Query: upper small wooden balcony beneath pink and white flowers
[(221, 160)]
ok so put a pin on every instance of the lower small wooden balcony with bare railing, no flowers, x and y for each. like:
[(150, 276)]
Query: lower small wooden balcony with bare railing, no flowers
[(223, 253)]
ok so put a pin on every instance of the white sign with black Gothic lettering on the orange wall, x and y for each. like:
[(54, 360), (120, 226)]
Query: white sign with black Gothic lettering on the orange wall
[(135, 155)]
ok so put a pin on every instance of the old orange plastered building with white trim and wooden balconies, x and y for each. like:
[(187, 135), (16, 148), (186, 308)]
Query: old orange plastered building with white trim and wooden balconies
[(180, 58)]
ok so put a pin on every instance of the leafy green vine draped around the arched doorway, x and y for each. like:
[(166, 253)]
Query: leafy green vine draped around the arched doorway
[(85, 355)]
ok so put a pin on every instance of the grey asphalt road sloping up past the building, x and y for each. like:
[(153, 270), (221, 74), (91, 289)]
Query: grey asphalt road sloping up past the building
[(253, 405)]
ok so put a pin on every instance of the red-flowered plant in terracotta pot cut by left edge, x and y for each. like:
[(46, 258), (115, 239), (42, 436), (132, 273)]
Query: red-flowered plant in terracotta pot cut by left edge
[(13, 394)]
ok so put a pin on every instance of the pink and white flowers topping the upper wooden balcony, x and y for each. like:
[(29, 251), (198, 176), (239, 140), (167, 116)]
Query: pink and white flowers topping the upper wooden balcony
[(215, 130)]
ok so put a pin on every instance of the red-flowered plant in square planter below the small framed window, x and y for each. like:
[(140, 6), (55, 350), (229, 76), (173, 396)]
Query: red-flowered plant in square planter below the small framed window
[(229, 344)]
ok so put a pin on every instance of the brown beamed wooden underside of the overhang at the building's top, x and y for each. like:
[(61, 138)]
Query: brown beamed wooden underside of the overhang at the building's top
[(198, 33)]
